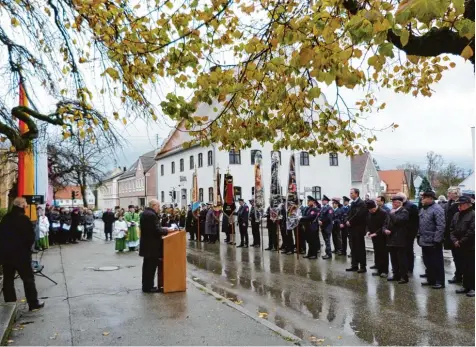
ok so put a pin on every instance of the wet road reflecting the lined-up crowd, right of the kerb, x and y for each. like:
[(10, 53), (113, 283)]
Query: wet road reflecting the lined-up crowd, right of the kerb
[(317, 299)]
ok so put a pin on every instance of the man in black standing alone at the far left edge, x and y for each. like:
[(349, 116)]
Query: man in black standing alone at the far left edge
[(17, 235)]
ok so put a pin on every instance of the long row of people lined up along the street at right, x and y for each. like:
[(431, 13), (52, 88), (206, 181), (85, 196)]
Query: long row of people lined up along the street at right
[(435, 224)]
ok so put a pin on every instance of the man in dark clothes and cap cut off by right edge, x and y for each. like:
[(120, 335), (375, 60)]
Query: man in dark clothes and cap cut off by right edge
[(462, 236)]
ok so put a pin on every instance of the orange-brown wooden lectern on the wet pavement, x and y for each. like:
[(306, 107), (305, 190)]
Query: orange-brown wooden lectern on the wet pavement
[(175, 262)]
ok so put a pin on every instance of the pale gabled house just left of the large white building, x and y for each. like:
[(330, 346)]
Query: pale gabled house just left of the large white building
[(138, 184)]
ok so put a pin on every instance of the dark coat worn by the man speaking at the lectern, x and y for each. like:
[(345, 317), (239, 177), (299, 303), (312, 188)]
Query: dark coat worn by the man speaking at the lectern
[(151, 244)]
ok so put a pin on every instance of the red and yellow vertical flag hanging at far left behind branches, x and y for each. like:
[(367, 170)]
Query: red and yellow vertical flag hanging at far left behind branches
[(26, 164)]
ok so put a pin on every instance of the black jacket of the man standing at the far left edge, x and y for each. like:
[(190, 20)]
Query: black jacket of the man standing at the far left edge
[(17, 235)]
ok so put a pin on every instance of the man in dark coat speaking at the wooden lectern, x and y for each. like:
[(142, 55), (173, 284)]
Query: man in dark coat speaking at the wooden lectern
[(151, 247)]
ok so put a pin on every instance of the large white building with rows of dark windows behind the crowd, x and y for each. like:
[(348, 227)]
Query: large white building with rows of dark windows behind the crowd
[(328, 174)]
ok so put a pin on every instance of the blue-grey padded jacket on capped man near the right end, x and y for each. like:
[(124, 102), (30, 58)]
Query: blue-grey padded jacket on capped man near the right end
[(432, 226)]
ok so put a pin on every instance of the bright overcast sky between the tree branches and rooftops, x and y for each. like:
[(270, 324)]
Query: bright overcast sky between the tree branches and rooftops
[(441, 124)]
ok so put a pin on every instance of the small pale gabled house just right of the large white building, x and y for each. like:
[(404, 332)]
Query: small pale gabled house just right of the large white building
[(365, 176)]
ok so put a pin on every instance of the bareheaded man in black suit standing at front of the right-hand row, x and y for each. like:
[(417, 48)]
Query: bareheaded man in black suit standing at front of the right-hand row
[(356, 222)]
